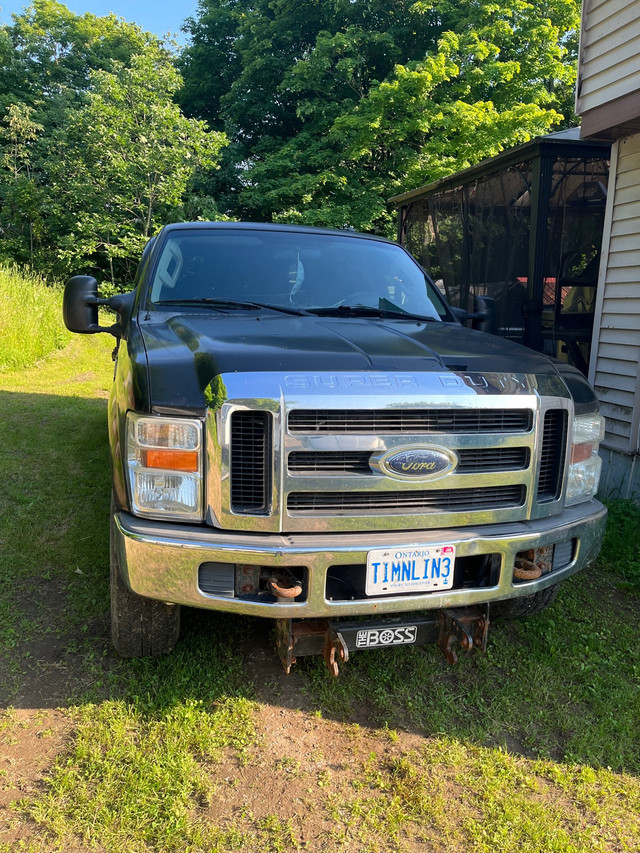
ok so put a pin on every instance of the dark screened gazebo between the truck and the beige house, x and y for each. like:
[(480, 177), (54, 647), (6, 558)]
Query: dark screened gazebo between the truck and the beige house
[(524, 228)]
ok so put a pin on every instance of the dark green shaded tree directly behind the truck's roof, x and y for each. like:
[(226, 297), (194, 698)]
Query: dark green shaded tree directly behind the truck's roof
[(238, 72)]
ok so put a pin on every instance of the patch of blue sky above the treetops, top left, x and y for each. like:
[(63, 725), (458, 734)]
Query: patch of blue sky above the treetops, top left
[(156, 16)]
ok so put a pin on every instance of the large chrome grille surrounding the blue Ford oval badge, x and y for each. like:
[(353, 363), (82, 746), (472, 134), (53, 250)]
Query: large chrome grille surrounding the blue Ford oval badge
[(287, 454)]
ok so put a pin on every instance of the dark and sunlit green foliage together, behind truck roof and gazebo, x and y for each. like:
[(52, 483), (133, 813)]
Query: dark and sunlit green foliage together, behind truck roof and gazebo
[(335, 105)]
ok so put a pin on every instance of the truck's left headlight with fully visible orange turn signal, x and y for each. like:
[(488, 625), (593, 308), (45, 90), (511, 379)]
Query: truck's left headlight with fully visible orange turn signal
[(164, 459)]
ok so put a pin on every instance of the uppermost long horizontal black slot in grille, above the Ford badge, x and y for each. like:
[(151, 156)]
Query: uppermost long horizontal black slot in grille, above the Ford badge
[(410, 421)]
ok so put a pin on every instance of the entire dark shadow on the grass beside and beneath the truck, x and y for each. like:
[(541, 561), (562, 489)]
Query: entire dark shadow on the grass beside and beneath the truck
[(563, 685)]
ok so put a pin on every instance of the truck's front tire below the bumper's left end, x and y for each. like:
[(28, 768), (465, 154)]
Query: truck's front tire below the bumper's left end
[(140, 627)]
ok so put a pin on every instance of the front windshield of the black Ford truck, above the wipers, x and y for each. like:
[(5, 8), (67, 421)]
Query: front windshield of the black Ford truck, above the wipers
[(288, 269)]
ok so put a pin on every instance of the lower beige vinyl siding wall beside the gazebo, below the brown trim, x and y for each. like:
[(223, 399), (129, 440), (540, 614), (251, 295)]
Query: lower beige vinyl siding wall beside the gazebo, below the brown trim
[(616, 348)]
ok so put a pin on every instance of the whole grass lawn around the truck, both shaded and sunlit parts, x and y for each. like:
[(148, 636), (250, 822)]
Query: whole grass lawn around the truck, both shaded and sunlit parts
[(534, 746)]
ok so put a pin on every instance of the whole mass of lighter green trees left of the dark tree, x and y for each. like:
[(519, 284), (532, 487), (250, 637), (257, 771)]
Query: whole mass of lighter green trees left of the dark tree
[(95, 153)]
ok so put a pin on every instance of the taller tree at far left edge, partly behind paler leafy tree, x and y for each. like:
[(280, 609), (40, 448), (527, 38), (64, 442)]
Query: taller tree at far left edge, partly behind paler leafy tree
[(46, 57)]
